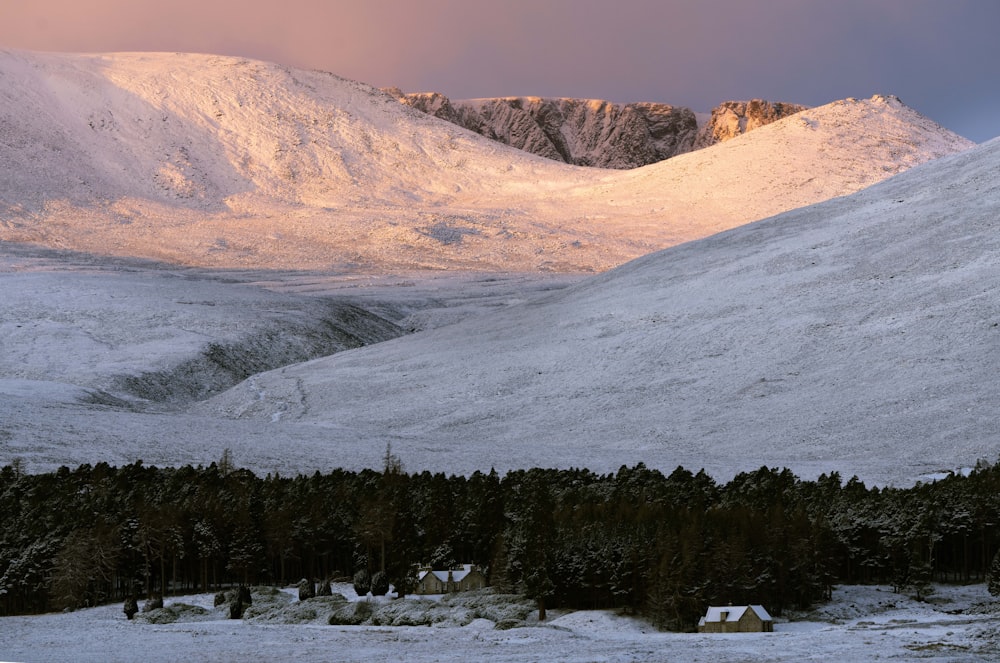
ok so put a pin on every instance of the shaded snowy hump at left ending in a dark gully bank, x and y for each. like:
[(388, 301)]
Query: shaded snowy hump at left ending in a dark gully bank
[(139, 335)]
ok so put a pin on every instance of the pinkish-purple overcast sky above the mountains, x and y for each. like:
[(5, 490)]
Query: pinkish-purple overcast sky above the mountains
[(941, 57)]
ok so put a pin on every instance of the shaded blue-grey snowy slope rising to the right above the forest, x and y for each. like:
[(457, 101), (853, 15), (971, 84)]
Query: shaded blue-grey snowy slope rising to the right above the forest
[(856, 335)]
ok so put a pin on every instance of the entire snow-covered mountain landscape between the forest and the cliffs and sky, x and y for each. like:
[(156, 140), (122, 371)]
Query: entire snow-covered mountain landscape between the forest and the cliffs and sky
[(854, 334)]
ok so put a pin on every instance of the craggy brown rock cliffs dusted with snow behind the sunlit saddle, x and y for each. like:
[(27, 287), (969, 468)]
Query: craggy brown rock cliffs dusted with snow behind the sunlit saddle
[(591, 132)]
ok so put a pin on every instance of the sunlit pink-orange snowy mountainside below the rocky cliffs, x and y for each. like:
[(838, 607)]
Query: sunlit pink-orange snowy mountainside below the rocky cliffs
[(222, 162)]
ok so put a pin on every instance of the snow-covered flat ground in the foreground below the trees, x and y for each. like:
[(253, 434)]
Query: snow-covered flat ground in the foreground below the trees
[(862, 623)]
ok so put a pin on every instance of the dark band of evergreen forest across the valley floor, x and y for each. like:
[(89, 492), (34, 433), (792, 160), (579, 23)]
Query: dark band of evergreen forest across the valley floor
[(660, 545)]
